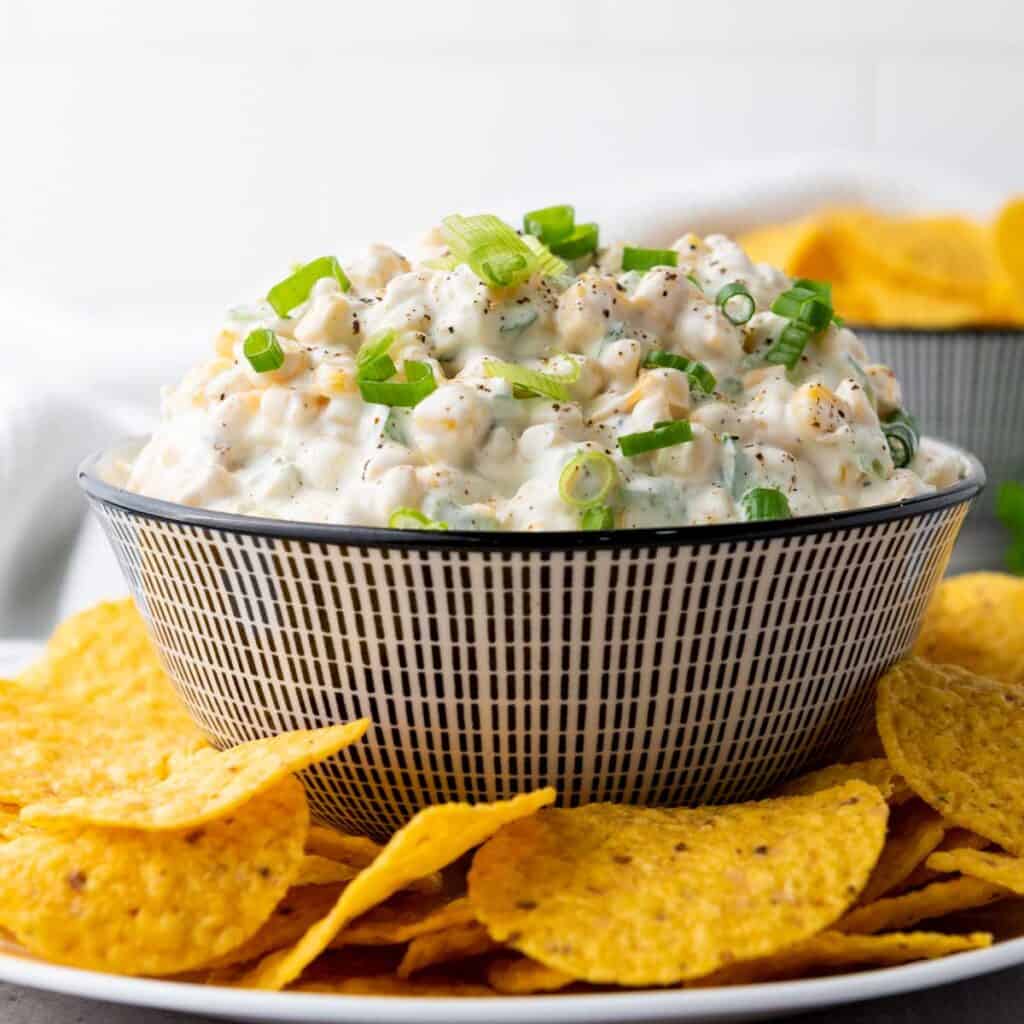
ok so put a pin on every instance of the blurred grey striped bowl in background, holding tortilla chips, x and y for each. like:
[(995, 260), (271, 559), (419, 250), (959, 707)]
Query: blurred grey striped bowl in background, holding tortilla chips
[(966, 387)]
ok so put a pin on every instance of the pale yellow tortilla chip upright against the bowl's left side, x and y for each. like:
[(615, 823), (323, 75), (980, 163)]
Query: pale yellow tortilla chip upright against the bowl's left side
[(97, 714)]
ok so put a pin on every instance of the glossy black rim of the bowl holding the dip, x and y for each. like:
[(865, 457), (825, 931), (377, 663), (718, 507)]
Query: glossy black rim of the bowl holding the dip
[(379, 537)]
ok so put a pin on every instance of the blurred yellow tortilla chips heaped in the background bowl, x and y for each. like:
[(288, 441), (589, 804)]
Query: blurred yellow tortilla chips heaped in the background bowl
[(913, 272)]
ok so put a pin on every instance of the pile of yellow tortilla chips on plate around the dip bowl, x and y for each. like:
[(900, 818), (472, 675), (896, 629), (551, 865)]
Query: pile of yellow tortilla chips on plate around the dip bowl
[(131, 846)]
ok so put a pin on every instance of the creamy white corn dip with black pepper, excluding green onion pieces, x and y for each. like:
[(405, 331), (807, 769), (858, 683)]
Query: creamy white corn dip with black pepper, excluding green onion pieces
[(302, 444)]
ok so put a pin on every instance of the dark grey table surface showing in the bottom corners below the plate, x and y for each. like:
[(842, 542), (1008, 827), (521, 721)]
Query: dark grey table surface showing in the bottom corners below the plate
[(997, 999)]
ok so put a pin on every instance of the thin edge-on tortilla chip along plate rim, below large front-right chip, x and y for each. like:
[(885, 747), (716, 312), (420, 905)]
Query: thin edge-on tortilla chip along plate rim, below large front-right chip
[(835, 950)]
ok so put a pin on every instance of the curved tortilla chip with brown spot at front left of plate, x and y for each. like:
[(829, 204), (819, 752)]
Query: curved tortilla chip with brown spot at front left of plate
[(132, 903)]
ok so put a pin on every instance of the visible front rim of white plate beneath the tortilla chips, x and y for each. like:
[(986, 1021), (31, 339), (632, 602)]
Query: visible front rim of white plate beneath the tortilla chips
[(743, 1004)]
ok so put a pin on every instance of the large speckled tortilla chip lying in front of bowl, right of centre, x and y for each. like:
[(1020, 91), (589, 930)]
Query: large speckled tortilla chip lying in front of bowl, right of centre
[(639, 897)]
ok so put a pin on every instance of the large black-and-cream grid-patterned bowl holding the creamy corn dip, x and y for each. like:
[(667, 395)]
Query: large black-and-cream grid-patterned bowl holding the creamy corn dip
[(682, 666)]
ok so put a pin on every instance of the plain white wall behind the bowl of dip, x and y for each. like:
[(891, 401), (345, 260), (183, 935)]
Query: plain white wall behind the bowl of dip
[(163, 160)]
